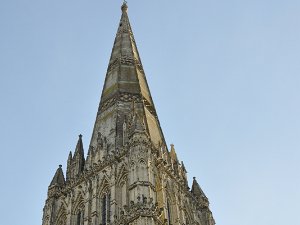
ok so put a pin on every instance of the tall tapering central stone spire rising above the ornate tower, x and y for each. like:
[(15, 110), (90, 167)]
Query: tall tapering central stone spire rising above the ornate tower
[(125, 92)]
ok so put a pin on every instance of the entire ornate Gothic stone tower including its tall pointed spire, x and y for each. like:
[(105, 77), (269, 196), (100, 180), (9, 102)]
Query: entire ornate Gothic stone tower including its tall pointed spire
[(129, 176)]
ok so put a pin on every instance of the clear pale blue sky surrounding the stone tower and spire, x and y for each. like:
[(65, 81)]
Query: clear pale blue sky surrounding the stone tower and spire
[(224, 75)]
